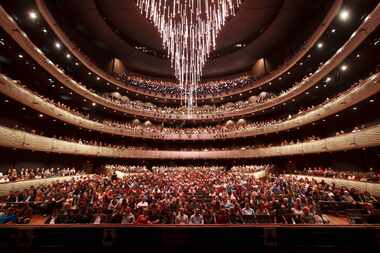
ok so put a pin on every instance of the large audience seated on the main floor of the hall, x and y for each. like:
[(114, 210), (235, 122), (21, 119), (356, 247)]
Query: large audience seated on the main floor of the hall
[(185, 196)]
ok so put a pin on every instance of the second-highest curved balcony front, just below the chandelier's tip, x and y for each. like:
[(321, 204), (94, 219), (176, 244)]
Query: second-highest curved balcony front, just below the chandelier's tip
[(368, 26)]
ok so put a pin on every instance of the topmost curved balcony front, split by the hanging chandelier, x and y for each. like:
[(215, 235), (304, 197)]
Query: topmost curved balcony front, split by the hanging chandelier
[(73, 48)]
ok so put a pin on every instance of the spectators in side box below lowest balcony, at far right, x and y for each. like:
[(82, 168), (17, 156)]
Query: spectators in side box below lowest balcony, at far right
[(370, 176)]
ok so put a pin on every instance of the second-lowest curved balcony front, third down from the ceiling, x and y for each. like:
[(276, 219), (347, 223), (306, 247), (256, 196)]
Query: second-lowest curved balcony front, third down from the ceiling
[(360, 92)]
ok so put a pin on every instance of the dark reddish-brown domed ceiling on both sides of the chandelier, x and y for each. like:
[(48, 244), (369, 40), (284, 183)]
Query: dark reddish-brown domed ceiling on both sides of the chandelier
[(104, 28)]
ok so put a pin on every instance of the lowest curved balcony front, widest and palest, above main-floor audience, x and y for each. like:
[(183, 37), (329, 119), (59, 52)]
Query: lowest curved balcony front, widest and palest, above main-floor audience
[(11, 138)]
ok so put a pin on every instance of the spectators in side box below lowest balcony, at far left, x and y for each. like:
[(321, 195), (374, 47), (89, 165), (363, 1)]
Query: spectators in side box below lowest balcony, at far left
[(13, 174)]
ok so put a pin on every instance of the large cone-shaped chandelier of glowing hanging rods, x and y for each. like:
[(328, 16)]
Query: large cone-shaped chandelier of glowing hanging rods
[(189, 29)]
